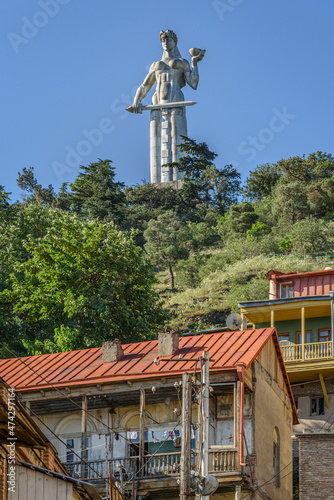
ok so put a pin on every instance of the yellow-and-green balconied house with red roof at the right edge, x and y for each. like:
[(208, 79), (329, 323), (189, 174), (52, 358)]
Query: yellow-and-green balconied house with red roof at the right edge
[(300, 308)]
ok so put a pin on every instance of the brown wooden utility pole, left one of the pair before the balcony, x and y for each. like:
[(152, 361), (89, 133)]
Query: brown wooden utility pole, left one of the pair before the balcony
[(185, 479)]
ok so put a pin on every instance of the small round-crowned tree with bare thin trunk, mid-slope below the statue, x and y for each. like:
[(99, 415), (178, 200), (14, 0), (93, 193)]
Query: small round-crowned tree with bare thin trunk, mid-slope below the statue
[(166, 241)]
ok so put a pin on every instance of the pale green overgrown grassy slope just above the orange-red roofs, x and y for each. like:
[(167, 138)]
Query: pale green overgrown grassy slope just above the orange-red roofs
[(208, 305)]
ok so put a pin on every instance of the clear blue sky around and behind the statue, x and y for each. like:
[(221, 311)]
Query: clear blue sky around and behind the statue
[(70, 66)]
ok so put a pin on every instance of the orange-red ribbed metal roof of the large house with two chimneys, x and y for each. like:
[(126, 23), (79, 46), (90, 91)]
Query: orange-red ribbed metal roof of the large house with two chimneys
[(85, 367)]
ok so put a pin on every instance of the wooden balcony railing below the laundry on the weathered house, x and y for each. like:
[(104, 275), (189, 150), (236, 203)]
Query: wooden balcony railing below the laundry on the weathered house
[(221, 462)]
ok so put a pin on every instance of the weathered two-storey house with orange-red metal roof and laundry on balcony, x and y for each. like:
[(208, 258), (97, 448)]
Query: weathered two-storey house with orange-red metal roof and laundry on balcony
[(124, 403)]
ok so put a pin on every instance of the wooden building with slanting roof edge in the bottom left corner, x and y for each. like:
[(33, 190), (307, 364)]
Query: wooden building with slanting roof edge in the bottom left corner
[(29, 464)]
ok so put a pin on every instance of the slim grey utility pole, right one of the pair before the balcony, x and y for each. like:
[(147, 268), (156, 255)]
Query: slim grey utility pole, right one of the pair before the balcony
[(205, 423)]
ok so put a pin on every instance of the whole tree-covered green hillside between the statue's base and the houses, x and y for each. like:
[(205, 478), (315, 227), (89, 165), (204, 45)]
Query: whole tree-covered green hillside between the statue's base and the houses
[(75, 265)]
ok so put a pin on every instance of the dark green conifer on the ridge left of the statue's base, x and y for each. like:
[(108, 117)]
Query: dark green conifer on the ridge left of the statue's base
[(96, 195)]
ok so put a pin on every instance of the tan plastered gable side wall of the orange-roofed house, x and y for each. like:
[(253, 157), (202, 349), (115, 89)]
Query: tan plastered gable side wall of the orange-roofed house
[(272, 408)]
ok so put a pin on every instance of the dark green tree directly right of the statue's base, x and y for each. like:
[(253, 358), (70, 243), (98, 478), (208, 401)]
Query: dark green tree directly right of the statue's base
[(203, 183)]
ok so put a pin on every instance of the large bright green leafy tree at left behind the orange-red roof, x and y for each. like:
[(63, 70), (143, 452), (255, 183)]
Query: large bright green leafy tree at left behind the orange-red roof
[(81, 282)]
